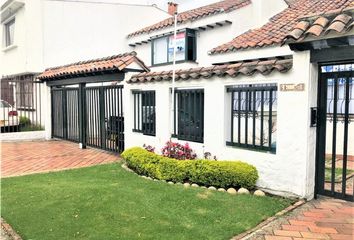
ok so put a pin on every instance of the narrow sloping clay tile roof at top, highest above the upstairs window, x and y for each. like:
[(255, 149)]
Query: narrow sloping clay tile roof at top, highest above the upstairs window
[(194, 14)]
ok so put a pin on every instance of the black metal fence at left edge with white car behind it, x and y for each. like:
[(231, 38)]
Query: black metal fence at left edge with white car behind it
[(21, 104)]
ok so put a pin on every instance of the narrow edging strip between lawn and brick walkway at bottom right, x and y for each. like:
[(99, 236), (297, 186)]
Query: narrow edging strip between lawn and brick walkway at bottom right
[(250, 232)]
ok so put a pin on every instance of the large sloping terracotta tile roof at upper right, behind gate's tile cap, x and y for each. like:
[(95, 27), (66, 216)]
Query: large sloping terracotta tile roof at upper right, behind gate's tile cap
[(273, 32)]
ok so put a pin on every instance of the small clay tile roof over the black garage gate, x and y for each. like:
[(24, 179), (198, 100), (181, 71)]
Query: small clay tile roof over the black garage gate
[(102, 65)]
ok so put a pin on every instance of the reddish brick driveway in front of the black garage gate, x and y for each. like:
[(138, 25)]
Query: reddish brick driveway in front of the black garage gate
[(21, 158)]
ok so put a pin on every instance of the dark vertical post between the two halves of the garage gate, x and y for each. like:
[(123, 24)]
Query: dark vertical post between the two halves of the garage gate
[(82, 116)]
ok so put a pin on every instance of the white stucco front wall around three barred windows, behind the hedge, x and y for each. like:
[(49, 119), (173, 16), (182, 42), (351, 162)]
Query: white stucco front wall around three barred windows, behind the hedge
[(288, 172)]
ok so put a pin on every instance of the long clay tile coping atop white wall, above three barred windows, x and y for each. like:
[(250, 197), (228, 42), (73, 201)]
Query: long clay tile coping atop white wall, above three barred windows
[(233, 70)]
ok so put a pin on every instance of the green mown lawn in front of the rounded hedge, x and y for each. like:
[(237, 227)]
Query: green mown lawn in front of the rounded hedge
[(107, 202)]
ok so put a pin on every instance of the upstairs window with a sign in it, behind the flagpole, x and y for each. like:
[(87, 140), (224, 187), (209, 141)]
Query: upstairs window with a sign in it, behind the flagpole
[(162, 48)]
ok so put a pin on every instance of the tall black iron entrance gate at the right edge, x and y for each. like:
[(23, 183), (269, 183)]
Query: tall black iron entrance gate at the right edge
[(335, 132)]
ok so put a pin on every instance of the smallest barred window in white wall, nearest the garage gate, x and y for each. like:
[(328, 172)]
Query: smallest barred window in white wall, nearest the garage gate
[(144, 112)]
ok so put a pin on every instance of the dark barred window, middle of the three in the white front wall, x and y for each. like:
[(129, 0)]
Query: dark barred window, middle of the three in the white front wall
[(189, 115)]
